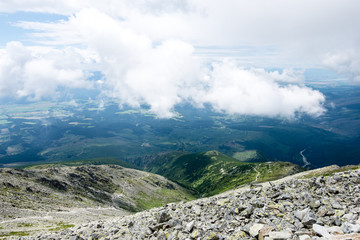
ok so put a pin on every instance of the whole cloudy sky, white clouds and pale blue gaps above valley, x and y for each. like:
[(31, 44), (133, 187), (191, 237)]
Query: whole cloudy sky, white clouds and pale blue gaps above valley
[(162, 53)]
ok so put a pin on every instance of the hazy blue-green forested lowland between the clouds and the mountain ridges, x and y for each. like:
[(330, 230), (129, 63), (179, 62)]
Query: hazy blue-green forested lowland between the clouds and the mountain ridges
[(49, 132)]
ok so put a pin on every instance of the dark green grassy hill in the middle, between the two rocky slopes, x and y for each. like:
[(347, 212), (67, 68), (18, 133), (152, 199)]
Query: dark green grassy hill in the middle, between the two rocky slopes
[(212, 172)]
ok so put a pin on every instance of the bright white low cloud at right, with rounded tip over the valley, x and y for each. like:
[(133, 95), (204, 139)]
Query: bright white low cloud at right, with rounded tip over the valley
[(255, 92)]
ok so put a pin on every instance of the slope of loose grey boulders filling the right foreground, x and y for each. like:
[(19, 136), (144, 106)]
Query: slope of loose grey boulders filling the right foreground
[(318, 207)]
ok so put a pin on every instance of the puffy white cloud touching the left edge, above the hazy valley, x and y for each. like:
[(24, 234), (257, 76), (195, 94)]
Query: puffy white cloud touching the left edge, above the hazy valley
[(28, 73)]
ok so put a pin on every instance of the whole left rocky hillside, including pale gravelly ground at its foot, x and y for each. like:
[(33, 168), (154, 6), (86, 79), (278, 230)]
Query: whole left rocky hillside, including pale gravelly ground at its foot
[(61, 196)]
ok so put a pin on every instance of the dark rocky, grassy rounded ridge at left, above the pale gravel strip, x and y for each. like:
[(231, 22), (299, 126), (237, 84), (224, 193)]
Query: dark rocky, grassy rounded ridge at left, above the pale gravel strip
[(89, 185)]
